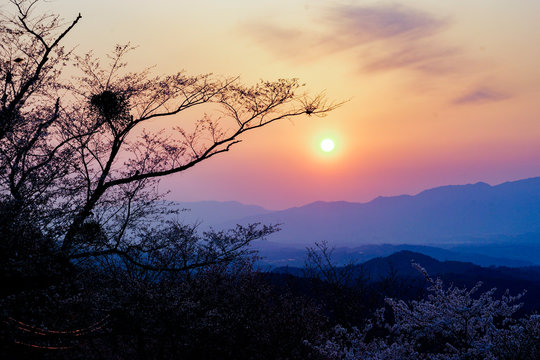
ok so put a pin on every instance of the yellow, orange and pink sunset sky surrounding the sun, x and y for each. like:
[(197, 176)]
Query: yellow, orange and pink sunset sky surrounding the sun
[(439, 92)]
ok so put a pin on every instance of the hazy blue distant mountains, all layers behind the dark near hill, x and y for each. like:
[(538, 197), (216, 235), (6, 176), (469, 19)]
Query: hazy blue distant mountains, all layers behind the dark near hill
[(490, 225)]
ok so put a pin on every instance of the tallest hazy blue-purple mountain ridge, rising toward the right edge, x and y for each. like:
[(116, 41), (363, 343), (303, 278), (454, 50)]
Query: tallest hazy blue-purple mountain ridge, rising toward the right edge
[(448, 215)]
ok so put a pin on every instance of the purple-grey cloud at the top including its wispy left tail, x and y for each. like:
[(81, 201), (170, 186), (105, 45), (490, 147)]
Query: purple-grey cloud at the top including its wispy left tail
[(380, 37)]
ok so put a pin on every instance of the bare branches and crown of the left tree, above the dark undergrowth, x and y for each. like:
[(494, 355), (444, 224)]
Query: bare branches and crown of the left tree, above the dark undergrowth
[(78, 155)]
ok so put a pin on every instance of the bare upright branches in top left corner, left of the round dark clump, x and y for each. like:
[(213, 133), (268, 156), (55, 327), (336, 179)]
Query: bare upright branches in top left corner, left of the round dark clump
[(30, 55)]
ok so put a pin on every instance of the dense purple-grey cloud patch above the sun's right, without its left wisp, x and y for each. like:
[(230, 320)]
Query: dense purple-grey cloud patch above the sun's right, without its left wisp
[(392, 37)]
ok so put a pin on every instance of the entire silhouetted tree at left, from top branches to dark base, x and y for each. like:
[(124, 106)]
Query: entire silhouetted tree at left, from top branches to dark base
[(79, 167)]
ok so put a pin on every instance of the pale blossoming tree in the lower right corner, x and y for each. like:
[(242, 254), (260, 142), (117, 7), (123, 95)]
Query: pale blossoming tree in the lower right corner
[(451, 323)]
